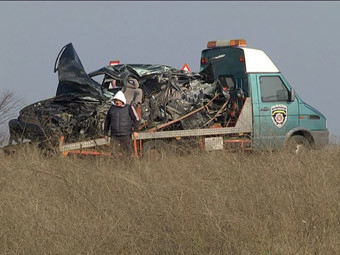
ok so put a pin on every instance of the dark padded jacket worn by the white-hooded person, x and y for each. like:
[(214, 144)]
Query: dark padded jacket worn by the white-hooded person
[(121, 120)]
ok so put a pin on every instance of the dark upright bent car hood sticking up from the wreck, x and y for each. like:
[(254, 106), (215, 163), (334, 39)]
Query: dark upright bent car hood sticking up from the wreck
[(73, 80)]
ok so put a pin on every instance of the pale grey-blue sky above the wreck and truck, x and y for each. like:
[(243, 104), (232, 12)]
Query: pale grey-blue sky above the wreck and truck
[(302, 39)]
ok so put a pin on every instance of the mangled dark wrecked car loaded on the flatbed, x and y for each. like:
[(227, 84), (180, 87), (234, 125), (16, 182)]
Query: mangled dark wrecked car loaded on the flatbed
[(79, 107)]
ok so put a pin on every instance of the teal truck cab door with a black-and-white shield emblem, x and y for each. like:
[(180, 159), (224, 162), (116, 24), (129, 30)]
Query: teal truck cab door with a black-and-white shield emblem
[(277, 114)]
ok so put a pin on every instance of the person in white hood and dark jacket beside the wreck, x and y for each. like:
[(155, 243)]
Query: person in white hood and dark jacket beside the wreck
[(122, 120)]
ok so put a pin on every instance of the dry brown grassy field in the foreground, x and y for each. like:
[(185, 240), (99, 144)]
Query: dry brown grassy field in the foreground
[(200, 203)]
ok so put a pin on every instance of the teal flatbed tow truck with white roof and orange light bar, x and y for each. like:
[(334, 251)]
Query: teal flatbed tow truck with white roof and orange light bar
[(264, 111)]
